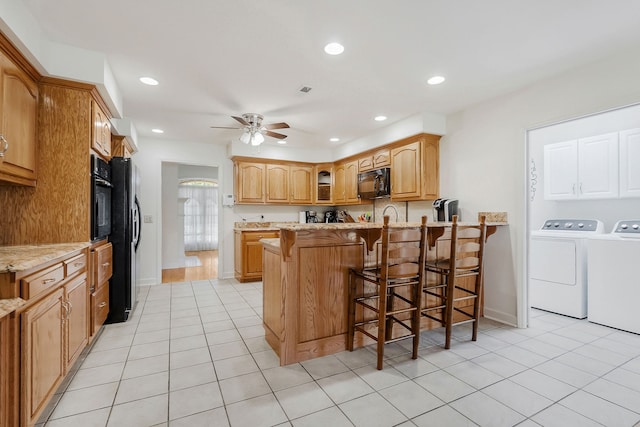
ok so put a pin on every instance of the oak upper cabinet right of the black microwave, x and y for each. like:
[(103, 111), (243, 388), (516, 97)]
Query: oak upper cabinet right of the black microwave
[(414, 168)]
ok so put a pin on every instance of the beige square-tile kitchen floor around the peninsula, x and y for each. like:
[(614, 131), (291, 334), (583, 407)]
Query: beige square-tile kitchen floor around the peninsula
[(193, 354)]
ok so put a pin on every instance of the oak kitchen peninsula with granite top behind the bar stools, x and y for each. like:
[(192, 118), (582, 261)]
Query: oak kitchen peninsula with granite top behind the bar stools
[(305, 279)]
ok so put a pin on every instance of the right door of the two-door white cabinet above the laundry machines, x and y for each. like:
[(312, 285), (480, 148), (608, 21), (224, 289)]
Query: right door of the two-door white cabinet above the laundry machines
[(598, 166)]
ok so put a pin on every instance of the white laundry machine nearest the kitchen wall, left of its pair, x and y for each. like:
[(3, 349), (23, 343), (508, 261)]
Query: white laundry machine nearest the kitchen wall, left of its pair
[(558, 265)]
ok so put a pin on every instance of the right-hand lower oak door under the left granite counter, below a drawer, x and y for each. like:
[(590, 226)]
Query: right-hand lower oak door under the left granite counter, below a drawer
[(77, 317)]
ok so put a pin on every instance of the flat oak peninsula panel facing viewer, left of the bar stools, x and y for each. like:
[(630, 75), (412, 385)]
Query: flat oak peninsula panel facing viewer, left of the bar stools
[(322, 309)]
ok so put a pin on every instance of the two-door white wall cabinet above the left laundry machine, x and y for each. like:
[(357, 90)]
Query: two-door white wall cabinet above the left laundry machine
[(585, 168)]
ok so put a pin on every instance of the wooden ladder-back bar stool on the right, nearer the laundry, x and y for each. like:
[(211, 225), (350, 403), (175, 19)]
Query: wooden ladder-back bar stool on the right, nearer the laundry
[(453, 297)]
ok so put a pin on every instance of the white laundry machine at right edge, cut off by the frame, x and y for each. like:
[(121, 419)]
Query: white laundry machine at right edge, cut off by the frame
[(614, 280)]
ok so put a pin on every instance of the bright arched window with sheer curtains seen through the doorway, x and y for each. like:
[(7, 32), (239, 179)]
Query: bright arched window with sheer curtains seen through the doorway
[(200, 214)]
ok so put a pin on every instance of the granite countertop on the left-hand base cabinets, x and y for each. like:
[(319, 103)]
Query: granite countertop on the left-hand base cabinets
[(23, 257)]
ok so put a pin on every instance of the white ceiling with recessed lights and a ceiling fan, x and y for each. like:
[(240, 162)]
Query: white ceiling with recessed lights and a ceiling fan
[(217, 58)]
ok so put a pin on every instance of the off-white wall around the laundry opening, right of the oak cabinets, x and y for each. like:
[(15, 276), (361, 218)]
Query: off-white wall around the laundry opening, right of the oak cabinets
[(483, 159)]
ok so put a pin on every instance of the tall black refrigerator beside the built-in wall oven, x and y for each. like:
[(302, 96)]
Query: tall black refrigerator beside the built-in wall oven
[(125, 238)]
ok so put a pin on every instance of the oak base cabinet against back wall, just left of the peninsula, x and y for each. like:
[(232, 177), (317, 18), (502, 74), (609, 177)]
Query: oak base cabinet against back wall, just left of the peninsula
[(248, 253)]
